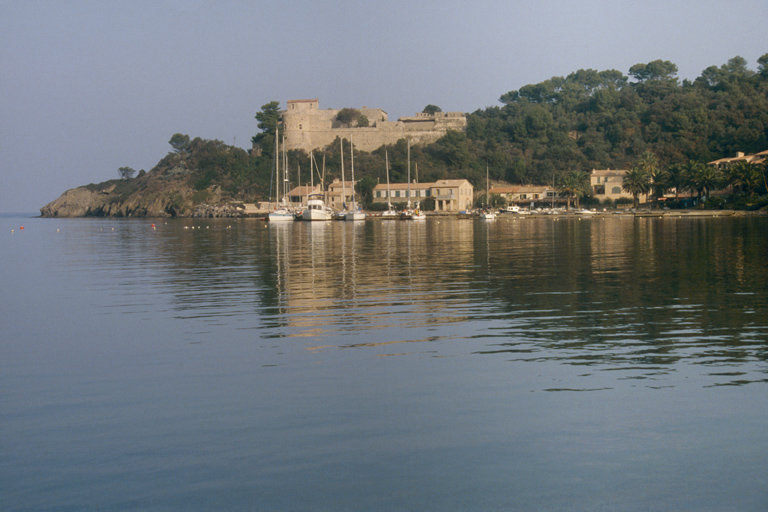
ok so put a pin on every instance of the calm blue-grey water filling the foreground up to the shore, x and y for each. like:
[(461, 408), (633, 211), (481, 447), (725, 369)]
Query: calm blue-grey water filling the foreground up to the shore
[(519, 364)]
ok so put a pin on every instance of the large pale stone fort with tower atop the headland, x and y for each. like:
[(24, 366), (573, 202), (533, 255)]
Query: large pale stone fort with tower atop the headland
[(307, 127)]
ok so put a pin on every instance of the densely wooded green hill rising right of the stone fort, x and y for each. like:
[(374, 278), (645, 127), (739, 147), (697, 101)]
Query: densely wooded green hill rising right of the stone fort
[(604, 119)]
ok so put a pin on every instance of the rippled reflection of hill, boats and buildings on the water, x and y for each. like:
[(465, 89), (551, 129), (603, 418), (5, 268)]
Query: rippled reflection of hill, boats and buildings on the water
[(640, 299)]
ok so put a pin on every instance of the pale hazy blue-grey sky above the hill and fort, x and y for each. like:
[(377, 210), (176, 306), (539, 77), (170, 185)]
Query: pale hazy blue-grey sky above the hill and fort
[(87, 87)]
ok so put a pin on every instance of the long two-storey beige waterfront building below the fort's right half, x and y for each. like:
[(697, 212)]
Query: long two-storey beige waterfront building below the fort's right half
[(449, 195)]
